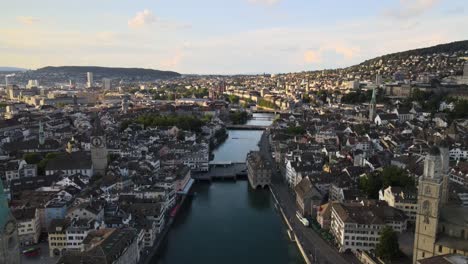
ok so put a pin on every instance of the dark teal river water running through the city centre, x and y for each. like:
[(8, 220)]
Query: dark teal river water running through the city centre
[(228, 222)]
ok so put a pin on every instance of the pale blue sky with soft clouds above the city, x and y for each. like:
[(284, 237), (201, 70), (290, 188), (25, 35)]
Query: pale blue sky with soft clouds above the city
[(222, 36)]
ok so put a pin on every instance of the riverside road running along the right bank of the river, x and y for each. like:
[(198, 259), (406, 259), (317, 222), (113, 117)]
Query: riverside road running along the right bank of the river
[(319, 250)]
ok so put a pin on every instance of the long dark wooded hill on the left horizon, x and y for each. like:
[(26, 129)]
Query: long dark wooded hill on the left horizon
[(110, 72)]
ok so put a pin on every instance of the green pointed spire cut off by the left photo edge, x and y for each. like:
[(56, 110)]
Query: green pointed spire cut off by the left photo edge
[(9, 247)]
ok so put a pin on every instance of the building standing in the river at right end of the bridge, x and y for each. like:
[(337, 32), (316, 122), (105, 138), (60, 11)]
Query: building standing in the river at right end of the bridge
[(258, 170)]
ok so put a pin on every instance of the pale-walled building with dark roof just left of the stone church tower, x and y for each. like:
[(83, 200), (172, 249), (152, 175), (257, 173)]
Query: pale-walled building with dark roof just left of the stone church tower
[(403, 199)]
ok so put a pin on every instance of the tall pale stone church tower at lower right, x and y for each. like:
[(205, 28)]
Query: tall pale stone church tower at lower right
[(431, 194)]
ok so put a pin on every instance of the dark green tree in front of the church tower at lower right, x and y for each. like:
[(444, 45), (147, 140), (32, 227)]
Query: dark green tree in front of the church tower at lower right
[(388, 248)]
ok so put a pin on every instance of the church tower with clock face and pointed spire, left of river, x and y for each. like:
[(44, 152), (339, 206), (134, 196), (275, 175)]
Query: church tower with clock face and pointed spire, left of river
[(98, 148)]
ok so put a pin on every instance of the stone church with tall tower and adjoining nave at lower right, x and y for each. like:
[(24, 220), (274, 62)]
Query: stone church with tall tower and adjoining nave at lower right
[(441, 227)]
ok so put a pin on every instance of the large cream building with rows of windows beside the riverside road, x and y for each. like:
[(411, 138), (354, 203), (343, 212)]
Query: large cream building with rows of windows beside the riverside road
[(357, 226)]
